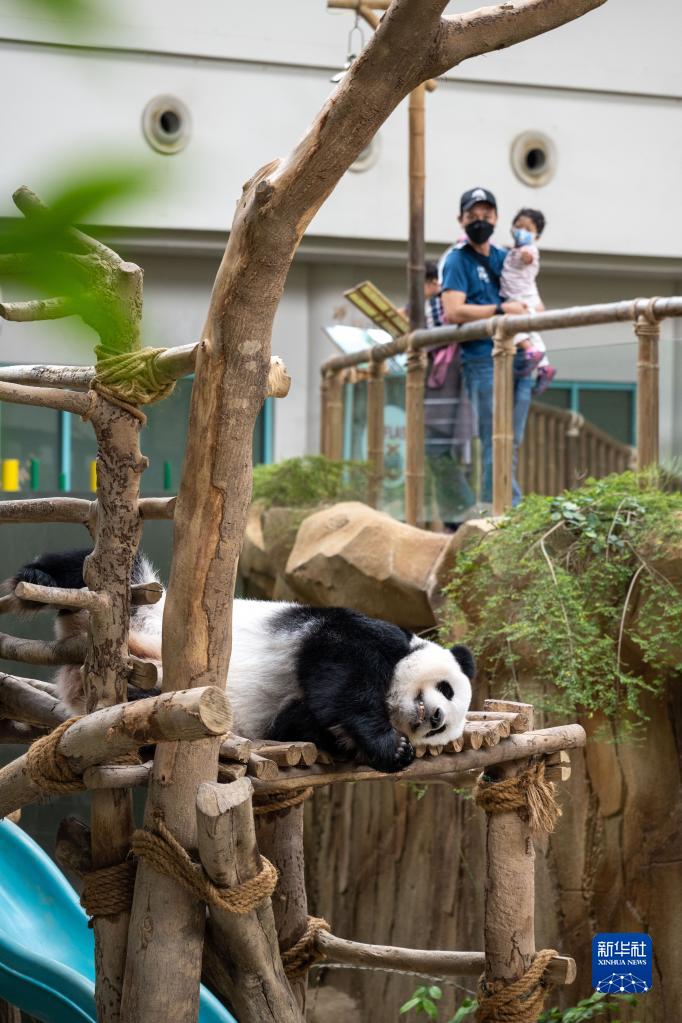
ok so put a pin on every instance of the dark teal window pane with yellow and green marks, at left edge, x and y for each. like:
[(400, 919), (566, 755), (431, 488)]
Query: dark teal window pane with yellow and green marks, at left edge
[(32, 436)]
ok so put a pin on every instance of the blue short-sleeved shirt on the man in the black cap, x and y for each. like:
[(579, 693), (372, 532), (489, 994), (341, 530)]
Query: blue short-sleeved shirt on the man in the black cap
[(479, 278)]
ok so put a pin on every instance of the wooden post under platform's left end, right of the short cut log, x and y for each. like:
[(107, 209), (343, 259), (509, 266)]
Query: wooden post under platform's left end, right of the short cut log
[(281, 839)]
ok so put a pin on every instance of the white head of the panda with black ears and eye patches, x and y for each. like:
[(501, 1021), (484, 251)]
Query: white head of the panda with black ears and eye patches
[(431, 693)]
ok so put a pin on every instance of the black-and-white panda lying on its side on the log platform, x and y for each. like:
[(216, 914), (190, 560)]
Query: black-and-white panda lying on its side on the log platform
[(350, 684)]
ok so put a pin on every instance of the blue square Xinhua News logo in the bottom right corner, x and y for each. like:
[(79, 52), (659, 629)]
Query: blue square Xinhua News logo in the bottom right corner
[(622, 964)]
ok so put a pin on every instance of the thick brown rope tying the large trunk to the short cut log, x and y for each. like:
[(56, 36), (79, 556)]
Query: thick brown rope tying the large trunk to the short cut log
[(166, 856)]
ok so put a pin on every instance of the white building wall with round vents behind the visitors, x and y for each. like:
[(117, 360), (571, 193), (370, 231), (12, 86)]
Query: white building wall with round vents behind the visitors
[(605, 90)]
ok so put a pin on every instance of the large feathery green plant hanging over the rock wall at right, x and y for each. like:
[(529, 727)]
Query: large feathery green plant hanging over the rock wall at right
[(556, 590)]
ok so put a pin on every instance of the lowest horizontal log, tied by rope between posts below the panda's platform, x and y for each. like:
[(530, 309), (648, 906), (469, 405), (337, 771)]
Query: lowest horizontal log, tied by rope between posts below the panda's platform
[(437, 965)]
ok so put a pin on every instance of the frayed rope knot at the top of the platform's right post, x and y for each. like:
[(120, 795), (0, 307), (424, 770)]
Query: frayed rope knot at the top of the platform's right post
[(529, 792)]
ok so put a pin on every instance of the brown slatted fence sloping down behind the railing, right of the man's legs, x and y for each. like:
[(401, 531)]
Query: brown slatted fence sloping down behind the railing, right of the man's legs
[(562, 449)]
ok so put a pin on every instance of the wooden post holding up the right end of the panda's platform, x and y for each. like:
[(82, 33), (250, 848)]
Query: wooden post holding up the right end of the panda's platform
[(510, 893)]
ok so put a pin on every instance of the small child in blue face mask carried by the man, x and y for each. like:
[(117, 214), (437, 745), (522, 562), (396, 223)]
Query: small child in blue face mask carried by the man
[(519, 282)]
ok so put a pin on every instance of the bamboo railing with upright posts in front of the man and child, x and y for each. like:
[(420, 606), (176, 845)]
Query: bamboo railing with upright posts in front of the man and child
[(593, 448)]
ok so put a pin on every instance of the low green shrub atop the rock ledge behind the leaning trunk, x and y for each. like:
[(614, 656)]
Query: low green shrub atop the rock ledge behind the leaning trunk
[(310, 481)]
